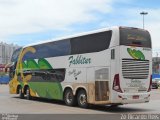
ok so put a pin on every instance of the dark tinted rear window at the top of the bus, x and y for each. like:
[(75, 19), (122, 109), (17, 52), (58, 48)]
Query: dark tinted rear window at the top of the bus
[(135, 37)]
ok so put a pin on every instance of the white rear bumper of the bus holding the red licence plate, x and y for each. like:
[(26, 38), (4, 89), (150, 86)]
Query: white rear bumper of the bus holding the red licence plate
[(129, 98)]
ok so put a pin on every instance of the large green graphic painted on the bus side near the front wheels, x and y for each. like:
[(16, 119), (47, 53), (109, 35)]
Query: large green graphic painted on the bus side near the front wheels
[(46, 87)]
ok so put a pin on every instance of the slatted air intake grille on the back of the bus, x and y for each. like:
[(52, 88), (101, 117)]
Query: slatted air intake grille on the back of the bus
[(135, 69)]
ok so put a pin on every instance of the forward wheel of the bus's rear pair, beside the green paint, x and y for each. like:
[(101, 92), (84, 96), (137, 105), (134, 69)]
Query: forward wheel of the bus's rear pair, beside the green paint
[(69, 98)]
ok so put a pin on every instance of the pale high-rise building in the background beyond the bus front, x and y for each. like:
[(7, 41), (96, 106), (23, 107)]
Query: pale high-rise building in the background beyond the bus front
[(6, 51)]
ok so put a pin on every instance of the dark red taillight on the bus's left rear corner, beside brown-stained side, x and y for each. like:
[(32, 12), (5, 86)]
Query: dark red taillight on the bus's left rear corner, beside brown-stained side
[(116, 83)]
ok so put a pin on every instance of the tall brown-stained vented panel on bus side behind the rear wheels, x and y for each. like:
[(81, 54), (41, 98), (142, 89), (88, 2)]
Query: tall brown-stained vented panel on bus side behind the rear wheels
[(102, 84)]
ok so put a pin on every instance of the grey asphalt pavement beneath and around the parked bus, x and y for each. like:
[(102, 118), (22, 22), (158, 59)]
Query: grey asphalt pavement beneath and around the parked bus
[(12, 104)]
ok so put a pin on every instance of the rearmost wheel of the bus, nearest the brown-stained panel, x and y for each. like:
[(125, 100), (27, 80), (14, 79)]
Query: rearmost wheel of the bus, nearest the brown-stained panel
[(82, 99)]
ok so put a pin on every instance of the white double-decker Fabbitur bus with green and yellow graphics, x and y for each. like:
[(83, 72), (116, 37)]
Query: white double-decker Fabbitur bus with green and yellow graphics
[(109, 66)]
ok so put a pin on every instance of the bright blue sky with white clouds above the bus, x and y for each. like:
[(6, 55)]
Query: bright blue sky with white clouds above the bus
[(24, 22)]
